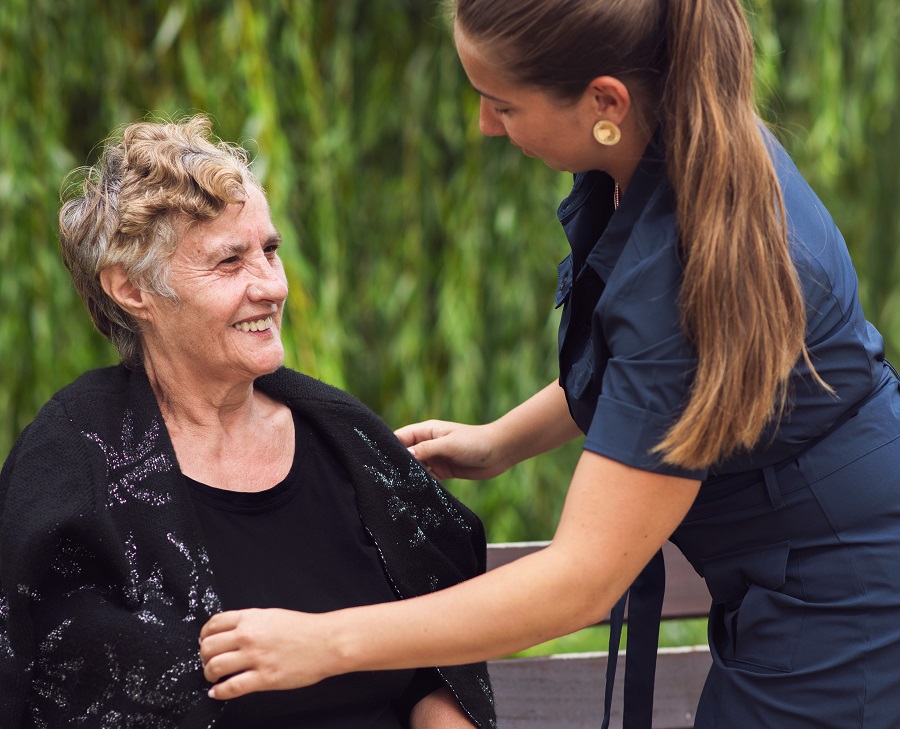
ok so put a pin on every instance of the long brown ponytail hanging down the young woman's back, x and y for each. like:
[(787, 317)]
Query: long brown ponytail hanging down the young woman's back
[(741, 303)]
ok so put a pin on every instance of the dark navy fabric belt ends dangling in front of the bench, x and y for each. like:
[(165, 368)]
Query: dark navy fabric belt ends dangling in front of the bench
[(645, 598)]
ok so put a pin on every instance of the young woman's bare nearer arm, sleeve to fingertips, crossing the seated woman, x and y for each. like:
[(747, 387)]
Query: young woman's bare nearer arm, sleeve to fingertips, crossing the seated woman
[(614, 520)]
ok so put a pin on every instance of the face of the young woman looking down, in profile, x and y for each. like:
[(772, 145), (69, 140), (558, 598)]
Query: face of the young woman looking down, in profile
[(559, 135)]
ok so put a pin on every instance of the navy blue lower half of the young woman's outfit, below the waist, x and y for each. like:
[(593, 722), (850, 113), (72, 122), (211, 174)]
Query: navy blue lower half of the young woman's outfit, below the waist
[(803, 565)]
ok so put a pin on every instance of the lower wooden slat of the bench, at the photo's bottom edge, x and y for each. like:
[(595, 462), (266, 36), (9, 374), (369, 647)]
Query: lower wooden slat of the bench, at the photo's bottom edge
[(566, 691)]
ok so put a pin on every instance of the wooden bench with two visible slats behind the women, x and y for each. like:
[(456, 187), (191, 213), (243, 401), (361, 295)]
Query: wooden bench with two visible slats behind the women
[(566, 691)]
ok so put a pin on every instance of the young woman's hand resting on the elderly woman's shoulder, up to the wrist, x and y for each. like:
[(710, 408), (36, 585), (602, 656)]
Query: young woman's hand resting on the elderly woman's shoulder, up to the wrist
[(454, 450)]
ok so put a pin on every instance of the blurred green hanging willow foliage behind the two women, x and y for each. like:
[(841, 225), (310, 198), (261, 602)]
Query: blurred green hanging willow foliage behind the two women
[(421, 256)]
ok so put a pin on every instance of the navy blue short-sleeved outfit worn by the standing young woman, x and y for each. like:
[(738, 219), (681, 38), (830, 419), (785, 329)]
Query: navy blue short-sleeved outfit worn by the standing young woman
[(799, 539)]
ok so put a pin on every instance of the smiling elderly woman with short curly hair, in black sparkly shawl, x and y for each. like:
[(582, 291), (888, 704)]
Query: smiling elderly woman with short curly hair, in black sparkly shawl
[(200, 475)]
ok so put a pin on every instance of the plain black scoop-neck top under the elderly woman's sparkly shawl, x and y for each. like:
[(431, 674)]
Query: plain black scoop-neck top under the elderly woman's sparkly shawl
[(301, 545)]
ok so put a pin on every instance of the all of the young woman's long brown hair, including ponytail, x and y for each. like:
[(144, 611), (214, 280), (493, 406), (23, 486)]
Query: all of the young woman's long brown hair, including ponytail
[(689, 67)]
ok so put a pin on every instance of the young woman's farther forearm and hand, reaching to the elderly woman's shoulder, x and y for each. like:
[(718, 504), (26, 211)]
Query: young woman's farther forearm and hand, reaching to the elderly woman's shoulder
[(455, 450)]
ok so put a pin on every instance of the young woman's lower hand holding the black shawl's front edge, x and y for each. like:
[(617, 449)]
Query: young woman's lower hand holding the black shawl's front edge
[(263, 650)]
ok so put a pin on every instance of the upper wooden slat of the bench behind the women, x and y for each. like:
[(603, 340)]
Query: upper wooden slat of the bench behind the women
[(686, 594)]
